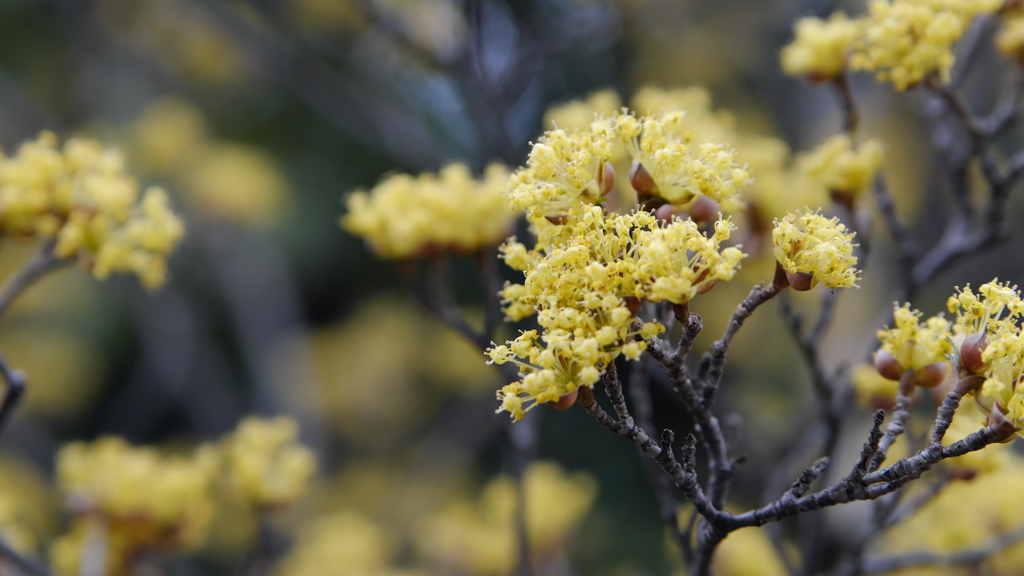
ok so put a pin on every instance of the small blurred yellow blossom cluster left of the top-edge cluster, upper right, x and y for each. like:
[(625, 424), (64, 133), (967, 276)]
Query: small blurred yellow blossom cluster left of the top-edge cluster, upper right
[(822, 48)]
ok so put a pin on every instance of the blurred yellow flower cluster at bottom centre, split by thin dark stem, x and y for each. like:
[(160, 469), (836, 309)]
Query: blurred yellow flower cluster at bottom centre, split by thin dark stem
[(479, 538)]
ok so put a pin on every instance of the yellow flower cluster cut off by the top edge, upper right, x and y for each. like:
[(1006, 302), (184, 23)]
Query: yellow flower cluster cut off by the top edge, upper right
[(904, 42)]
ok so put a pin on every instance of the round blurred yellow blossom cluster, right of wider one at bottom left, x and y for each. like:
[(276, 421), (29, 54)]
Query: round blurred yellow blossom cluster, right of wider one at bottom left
[(266, 465)]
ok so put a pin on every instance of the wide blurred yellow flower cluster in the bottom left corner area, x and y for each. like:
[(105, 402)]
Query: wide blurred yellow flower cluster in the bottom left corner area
[(136, 498)]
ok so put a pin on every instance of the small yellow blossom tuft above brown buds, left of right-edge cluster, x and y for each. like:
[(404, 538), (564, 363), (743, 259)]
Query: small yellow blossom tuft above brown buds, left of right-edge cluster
[(916, 345)]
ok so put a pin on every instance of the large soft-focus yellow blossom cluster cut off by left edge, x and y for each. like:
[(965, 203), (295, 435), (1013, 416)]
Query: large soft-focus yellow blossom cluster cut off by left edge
[(81, 197)]
